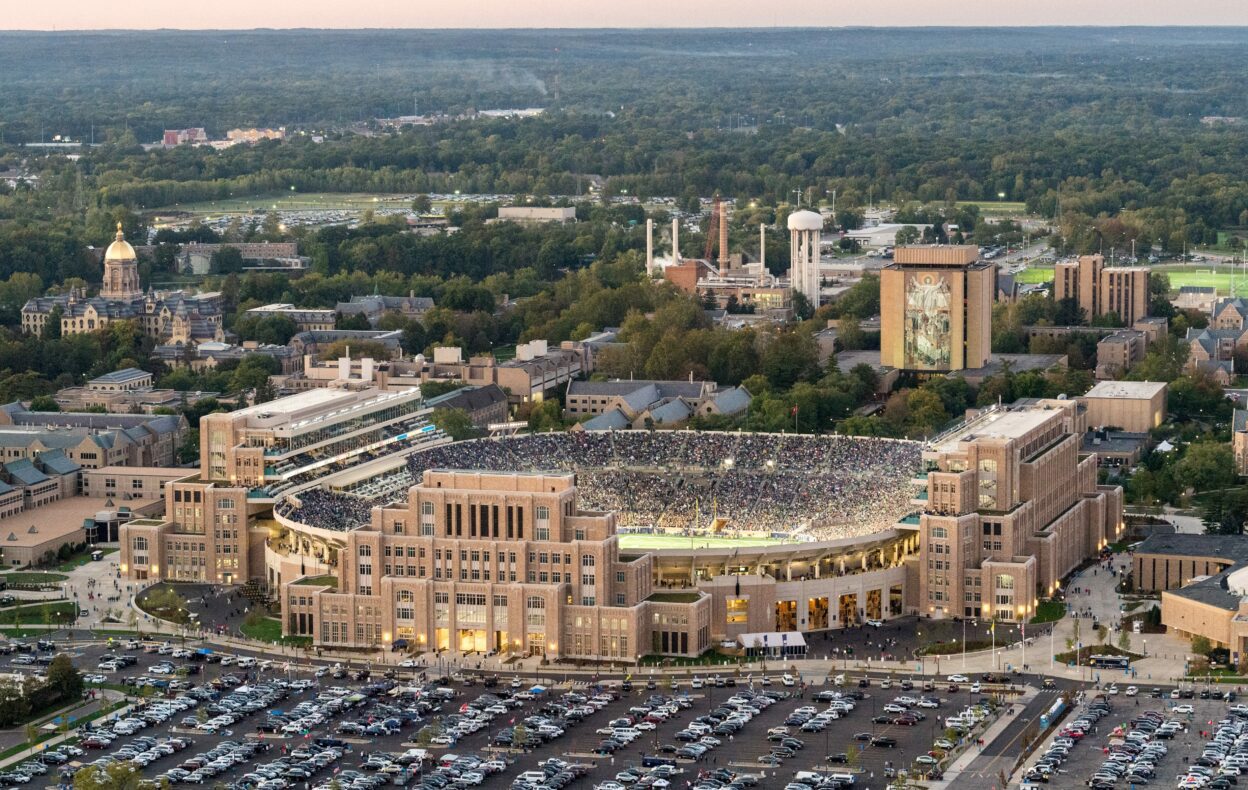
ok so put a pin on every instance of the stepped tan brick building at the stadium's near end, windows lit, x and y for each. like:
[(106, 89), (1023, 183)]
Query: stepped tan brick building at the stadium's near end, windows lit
[(496, 562)]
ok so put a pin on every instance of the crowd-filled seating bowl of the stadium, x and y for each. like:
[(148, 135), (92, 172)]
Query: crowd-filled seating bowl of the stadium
[(819, 487)]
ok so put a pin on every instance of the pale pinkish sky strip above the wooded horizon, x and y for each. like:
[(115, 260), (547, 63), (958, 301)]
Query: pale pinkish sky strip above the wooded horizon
[(248, 14)]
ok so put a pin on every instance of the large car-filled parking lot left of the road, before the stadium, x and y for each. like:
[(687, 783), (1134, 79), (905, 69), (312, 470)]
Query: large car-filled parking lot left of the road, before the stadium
[(253, 723)]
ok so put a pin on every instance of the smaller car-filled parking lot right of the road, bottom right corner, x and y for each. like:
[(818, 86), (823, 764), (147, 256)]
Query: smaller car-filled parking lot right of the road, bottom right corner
[(1145, 736)]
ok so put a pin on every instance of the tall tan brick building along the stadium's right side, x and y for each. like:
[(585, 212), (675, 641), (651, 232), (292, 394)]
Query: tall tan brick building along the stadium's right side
[(1012, 507)]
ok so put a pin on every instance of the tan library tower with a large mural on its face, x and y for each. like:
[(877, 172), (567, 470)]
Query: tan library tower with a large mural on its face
[(937, 309)]
